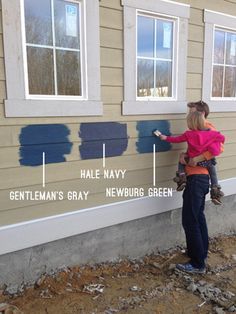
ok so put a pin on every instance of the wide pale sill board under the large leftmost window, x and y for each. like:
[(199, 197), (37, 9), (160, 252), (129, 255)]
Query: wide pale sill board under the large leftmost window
[(52, 108)]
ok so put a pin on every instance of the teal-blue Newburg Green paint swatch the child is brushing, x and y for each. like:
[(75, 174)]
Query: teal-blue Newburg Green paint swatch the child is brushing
[(146, 139)]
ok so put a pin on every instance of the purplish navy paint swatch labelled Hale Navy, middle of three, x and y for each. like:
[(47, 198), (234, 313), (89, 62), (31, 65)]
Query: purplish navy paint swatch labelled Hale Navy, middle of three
[(93, 135)]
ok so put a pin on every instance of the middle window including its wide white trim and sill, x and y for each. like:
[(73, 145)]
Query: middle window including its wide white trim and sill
[(155, 55)]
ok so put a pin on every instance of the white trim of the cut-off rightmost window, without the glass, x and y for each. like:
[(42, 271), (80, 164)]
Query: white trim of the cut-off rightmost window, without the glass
[(212, 20)]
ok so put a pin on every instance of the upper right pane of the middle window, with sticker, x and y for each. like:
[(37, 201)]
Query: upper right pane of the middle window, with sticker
[(164, 34)]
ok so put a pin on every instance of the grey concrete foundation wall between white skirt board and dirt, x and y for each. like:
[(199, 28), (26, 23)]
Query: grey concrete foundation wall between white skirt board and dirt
[(132, 239)]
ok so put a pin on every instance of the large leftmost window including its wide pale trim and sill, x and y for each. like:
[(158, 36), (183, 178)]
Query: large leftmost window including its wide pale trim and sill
[(52, 57)]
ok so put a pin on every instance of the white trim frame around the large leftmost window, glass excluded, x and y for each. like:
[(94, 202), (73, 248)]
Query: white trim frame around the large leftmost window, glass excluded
[(17, 103)]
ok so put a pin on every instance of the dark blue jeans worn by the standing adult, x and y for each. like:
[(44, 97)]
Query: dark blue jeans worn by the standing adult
[(193, 218)]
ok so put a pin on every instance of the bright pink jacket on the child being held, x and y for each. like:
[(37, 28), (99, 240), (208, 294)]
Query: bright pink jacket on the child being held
[(200, 142)]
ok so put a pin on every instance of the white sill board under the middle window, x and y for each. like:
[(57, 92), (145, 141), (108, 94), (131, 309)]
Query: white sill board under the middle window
[(153, 107)]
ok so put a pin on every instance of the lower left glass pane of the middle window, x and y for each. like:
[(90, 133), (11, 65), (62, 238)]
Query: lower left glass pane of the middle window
[(145, 78)]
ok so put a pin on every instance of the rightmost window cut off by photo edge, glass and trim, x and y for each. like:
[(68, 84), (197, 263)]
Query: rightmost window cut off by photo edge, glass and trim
[(219, 73)]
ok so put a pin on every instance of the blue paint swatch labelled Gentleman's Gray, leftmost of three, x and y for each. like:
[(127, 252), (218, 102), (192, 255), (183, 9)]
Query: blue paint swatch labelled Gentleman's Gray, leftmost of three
[(49, 138)]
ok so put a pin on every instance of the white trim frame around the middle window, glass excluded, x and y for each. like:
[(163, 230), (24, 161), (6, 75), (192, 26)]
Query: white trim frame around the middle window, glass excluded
[(177, 11)]
